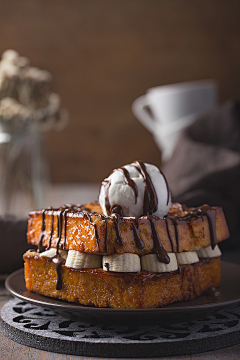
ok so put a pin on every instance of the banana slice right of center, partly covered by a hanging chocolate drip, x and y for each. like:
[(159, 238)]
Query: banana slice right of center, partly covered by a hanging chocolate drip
[(151, 263)]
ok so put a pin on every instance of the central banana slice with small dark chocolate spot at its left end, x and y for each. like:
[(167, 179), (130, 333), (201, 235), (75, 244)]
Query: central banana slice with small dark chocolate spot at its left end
[(122, 263)]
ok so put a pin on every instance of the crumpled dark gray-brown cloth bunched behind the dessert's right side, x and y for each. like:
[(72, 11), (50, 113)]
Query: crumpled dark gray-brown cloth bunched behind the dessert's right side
[(205, 166)]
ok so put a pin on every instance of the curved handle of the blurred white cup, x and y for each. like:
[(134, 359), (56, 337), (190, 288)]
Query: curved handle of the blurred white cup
[(139, 110)]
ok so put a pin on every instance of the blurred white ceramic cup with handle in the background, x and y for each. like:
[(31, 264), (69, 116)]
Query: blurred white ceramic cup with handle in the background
[(172, 108)]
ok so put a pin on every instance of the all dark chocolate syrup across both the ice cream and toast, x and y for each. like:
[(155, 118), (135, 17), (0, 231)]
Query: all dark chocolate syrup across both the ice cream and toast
[(116, 213)]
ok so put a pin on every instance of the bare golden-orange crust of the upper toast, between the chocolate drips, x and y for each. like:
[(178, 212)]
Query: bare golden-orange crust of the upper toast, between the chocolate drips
[(98, 234)]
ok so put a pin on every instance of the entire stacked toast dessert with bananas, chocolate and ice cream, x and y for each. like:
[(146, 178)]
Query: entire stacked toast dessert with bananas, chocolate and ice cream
[(134, 249)]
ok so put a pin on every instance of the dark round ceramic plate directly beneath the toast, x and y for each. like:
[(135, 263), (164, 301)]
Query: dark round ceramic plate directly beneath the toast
[(182, 311)]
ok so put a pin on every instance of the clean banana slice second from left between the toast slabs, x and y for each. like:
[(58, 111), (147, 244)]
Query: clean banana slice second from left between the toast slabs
[(79, 260)]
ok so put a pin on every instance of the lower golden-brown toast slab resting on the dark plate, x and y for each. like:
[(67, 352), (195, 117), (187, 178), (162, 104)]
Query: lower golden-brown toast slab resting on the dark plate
[(122, 290)]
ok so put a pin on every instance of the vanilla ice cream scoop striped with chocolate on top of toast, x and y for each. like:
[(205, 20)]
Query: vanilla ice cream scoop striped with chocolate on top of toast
[(134, 190)]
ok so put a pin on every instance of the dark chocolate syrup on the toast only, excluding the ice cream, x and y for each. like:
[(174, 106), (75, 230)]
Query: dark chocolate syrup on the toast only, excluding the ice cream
[(158, 249)]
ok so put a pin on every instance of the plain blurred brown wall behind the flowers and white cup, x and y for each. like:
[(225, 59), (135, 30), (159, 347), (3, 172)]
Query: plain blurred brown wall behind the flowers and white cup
[(103, 54)]
